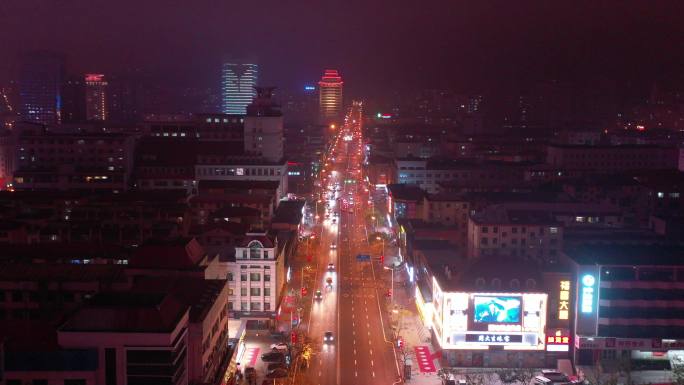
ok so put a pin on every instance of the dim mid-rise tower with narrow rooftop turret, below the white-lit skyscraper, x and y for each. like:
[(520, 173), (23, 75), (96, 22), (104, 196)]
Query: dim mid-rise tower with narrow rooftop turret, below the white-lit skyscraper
[(264, 134)]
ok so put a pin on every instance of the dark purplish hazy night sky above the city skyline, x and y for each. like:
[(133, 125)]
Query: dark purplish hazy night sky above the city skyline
[(378, 45)]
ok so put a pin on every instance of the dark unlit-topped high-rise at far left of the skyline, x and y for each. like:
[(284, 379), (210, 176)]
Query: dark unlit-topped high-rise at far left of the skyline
[(40, 88)]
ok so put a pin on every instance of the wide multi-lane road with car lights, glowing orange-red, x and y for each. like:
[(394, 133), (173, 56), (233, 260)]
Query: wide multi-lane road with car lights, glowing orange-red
[(352, 305)]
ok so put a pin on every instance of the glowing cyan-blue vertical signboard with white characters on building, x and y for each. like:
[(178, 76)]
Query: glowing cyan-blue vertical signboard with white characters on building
[(587, 300)]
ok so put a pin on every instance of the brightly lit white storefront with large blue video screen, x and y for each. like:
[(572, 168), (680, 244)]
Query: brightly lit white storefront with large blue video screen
[(493, 323)]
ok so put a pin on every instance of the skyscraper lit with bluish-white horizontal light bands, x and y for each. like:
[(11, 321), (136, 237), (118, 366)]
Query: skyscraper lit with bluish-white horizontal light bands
[(237, 86)]
